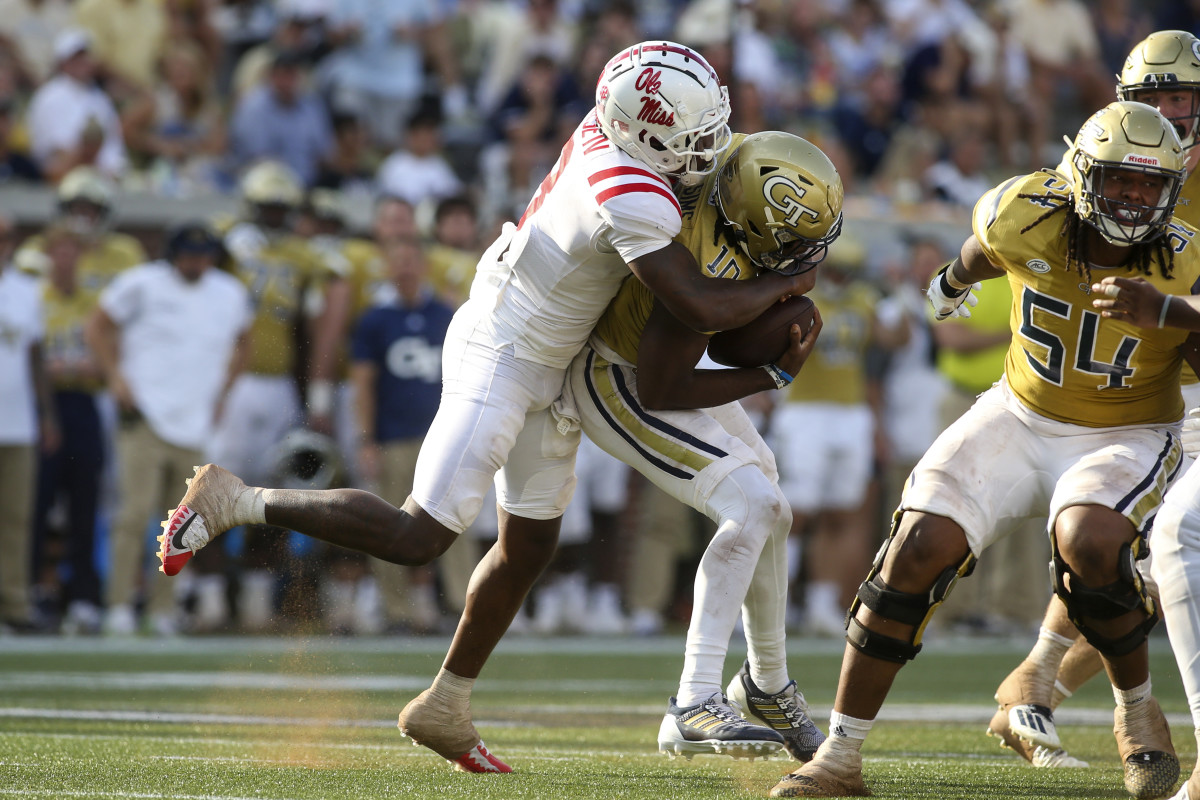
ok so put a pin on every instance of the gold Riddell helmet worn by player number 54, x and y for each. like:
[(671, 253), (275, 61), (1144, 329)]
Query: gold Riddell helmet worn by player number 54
[(1126, 137)]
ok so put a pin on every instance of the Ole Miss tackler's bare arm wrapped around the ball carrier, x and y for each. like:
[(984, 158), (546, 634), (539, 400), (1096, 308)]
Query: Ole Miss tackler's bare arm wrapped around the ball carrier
[(706, 305)]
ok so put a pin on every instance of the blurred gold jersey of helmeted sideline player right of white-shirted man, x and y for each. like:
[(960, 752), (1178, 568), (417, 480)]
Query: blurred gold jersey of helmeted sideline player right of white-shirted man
[(279, 270)]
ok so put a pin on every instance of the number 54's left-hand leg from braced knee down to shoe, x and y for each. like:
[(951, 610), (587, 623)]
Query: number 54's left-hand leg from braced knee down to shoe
[(913, 575)]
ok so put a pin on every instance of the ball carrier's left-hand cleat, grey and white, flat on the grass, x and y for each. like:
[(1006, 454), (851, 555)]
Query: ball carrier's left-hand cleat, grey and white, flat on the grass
[(713, 727)]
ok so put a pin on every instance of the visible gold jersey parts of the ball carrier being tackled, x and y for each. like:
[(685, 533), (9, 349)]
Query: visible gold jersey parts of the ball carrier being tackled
[(622, 324)]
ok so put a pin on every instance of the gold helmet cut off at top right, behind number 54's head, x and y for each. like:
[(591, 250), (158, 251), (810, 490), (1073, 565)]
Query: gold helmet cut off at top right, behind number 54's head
[(1163, 62)]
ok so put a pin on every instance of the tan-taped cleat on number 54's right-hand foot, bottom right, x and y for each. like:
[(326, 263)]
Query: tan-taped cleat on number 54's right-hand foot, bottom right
[(1151, 767)]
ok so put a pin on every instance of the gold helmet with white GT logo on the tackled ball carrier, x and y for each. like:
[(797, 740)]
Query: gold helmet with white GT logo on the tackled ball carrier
[(782, 197)]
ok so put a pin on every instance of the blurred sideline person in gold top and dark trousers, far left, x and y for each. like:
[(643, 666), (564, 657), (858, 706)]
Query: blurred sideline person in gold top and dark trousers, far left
[(70, 478)]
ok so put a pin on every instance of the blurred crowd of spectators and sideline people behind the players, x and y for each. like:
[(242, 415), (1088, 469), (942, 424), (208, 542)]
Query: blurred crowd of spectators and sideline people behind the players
[(442, 117)]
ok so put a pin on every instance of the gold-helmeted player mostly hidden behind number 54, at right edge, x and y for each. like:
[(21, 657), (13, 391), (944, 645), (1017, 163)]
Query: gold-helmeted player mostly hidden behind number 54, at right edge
[(1162, 71)]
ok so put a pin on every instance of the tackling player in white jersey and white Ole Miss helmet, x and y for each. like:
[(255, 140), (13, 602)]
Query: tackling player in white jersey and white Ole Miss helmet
[(608, 208)]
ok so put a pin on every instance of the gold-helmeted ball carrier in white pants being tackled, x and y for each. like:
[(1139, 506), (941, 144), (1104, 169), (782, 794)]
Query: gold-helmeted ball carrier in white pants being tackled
[(776, 204)]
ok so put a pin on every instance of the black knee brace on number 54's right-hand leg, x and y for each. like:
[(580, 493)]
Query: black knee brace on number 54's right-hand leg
[(1126, 594)]
